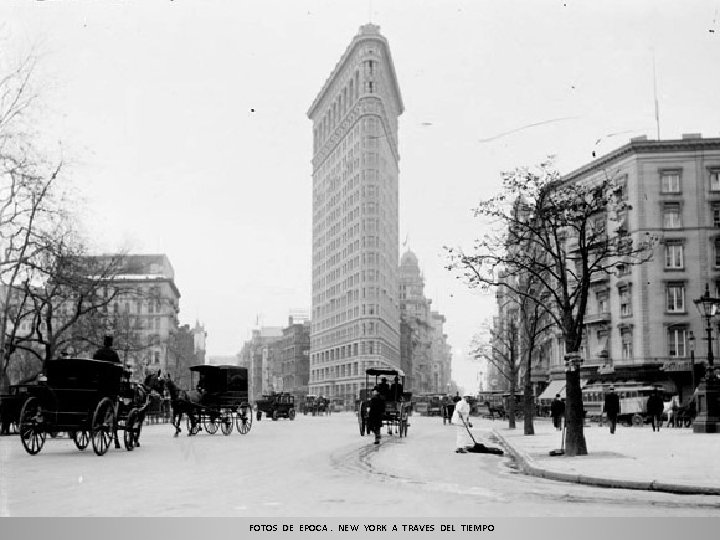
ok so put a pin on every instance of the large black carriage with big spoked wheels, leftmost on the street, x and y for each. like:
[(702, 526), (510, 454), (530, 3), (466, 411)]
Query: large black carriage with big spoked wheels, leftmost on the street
[(89, 399)]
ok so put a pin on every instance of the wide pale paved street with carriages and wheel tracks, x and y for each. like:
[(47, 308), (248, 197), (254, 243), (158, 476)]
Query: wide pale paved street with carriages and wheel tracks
[(314, 466)]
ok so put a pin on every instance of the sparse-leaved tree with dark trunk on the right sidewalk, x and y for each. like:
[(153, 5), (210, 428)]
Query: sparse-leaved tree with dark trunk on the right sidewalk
[(554, 231)]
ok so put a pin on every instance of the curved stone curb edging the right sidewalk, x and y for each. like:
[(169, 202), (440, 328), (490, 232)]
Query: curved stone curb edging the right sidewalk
[(527, 466)]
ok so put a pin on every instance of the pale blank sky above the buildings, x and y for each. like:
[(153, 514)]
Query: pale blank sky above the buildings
[(184, 124)]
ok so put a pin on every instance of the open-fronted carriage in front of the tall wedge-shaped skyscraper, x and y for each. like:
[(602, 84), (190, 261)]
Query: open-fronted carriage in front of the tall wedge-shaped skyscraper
[(397, 405)]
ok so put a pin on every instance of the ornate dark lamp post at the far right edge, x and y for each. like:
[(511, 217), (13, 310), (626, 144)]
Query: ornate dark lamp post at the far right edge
[(708, 392)]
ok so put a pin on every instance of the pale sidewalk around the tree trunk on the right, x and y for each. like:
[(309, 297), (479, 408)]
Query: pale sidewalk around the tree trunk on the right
[(674, 460)]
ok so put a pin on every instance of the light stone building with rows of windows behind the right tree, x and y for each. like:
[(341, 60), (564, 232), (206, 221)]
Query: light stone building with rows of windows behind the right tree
[(640, 319)]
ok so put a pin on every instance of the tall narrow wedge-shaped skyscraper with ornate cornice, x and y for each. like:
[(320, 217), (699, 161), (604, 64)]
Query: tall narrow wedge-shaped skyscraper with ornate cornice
[(355, 312)]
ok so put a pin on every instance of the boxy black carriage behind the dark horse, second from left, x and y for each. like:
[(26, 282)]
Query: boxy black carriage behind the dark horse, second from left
[(220, 400)]
